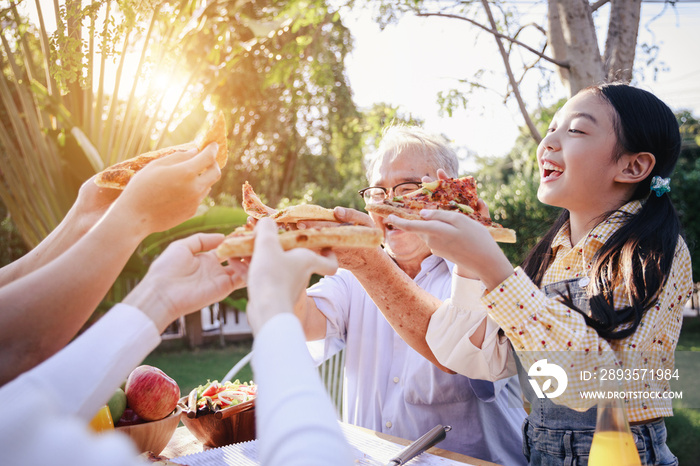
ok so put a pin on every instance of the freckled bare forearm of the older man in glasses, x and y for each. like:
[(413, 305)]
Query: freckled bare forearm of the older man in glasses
[(405, 305)]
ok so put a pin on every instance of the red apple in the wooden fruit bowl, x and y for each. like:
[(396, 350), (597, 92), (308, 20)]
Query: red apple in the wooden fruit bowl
[(151, 393)]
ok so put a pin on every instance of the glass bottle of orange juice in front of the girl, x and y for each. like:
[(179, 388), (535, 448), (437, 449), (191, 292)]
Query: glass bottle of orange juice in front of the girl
[(613, 442)]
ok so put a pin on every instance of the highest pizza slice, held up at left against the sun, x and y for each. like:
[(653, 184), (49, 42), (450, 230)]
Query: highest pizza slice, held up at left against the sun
[(118, 175)]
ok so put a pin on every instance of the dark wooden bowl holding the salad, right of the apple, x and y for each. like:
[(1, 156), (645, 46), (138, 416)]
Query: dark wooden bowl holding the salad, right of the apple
[(230, 425)]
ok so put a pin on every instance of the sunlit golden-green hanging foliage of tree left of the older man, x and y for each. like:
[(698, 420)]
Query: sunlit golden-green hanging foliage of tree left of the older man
[(294, 126)]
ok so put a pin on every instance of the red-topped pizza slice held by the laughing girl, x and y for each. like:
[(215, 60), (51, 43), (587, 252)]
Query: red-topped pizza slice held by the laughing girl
[(457, 194)]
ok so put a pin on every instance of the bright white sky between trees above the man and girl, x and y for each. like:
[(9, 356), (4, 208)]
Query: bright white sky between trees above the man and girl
[(409, 63)]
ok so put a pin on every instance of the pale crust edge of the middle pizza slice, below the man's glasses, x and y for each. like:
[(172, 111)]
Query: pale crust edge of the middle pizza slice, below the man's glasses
[(242, 244)]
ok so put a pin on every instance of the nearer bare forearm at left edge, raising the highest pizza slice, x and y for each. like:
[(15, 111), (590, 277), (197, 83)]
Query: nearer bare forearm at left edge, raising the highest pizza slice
[(56, 300)]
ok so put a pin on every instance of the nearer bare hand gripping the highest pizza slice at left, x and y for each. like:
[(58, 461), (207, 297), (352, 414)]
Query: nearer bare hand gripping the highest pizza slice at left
[(168, 190)]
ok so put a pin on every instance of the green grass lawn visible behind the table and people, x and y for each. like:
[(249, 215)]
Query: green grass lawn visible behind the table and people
[(194, 367)]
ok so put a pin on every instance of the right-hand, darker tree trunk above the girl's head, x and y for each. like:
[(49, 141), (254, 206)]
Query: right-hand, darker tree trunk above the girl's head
[(621, 42)]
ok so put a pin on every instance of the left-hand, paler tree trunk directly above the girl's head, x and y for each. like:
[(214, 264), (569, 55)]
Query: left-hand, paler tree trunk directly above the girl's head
[(577, 36)]
